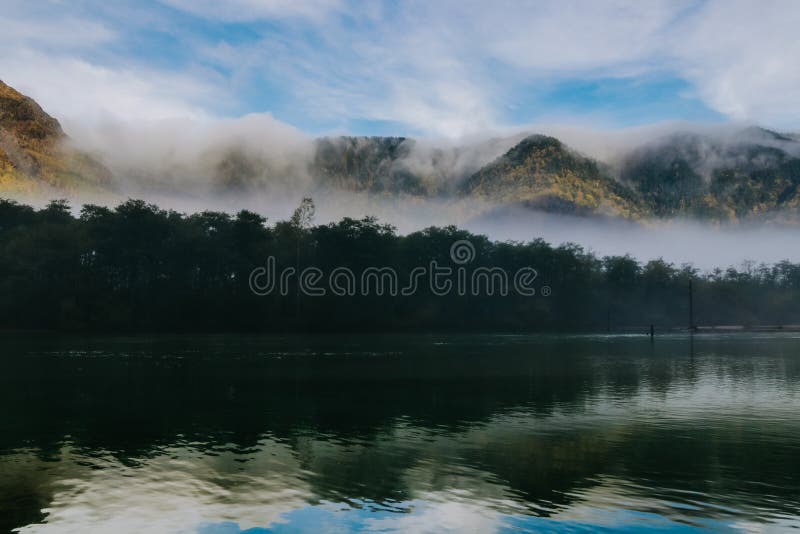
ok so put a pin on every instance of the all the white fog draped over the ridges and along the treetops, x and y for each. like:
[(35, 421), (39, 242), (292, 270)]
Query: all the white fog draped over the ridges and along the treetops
[(172, 164)]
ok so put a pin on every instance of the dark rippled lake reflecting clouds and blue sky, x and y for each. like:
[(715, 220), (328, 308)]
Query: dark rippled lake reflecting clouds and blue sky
[(409, 433)]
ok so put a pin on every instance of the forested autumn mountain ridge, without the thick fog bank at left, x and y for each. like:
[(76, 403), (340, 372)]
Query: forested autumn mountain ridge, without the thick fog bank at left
[(745, 173)]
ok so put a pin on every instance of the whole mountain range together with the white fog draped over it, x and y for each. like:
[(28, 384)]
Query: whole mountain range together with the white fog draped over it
[(723, 174)]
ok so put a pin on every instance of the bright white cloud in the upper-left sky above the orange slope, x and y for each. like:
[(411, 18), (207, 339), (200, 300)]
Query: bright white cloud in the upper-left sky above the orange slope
[(69, 62)]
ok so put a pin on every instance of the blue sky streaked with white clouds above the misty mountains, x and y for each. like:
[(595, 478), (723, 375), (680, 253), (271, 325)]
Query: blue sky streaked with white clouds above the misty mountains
[(419, 68)]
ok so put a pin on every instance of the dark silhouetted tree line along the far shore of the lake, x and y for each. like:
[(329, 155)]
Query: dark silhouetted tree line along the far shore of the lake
[(137, 267)]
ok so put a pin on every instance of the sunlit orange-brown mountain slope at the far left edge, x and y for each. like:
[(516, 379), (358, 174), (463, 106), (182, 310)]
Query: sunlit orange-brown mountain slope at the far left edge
[(35, 155)]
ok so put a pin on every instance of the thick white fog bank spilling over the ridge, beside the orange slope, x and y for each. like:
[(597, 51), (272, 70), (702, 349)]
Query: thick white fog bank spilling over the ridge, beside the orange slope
[(189, 157)]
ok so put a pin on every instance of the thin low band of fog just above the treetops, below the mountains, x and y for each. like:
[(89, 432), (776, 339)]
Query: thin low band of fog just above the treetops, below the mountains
[(704, 245)]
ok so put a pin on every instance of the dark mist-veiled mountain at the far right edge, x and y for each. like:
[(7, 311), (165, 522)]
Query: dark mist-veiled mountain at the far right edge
[(736, 175)]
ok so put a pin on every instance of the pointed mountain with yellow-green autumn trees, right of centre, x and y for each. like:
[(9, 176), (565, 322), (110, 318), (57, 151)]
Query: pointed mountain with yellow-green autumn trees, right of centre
[(541, 172)]
